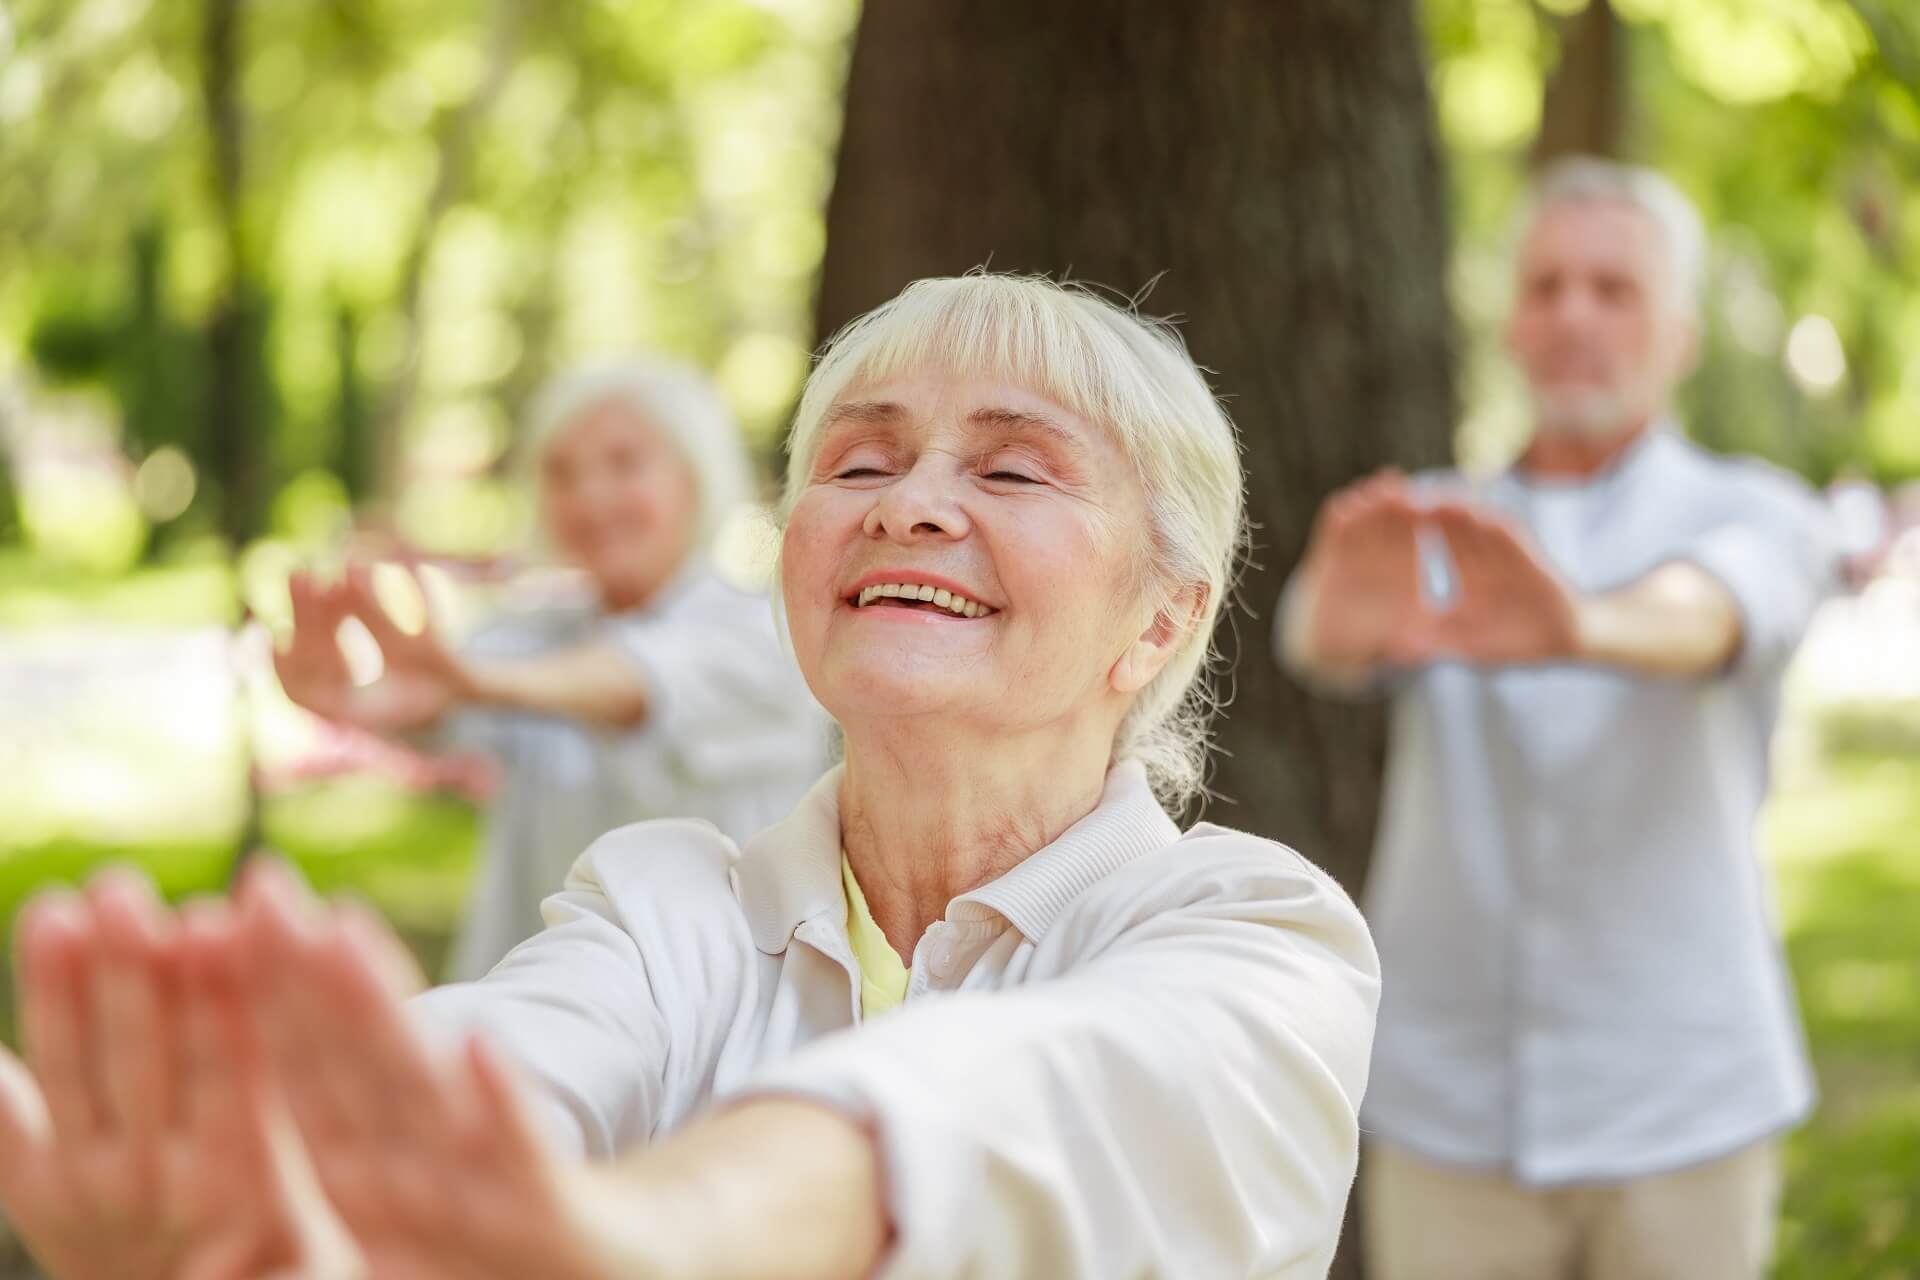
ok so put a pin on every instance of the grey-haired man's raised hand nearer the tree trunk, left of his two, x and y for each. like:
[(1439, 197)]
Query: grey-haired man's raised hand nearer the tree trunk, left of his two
[(1366, 573)]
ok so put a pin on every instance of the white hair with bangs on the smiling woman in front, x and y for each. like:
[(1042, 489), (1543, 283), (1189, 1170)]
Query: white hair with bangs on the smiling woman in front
[(1120, 371)]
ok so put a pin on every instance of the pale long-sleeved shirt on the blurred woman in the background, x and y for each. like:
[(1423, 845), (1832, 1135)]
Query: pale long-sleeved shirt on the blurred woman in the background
[(732, 736)]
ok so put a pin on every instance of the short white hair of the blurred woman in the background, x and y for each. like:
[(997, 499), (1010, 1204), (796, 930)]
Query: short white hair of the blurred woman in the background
[(675, 398)]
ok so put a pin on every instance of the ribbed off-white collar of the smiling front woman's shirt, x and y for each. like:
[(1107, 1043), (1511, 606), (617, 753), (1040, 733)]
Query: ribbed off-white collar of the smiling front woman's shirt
[(792, 872)]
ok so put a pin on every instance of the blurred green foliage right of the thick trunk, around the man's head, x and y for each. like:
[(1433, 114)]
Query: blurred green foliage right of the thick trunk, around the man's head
[(1796, 128)]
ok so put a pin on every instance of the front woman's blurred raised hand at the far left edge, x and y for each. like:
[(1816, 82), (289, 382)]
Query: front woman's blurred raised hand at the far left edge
[(137, 1143)]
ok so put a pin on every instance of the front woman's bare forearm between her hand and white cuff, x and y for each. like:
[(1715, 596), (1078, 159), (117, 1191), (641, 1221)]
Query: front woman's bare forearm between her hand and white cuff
[(779, 1189)]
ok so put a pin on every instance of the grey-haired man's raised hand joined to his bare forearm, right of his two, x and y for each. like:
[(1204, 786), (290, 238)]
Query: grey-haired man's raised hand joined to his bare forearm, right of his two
[(1508, 604)]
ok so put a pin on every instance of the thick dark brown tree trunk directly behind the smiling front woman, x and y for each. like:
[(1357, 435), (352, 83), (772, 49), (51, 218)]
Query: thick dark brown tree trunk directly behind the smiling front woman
[(1272, 170)]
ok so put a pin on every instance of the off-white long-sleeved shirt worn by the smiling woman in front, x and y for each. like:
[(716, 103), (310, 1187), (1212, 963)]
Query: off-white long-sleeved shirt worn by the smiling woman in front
[(1136, 1055)]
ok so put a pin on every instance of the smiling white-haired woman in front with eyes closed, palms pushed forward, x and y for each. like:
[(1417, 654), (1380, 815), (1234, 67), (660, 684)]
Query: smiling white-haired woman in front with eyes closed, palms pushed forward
[(976, 1008)]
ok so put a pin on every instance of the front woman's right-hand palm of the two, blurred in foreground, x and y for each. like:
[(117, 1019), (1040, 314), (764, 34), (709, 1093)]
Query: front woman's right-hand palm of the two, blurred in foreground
[(425, 1152)]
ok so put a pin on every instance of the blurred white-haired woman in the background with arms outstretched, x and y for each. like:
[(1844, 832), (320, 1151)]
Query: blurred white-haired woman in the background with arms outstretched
[(663, 694)]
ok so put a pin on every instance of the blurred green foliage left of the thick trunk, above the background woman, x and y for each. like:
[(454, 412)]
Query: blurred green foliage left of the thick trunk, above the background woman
[(437, 204)]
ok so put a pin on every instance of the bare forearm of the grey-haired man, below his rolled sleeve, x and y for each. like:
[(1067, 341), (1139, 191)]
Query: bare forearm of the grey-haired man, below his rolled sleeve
[(1679, 621)]
